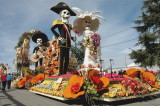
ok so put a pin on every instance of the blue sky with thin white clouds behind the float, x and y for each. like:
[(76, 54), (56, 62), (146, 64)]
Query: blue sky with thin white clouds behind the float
[(18, 16)]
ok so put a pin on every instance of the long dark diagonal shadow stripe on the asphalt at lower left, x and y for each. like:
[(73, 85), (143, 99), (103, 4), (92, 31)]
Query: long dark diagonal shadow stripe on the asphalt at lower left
[(11, 99)]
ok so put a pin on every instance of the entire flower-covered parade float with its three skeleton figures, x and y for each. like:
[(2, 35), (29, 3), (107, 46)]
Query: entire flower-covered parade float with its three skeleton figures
[(53, 78)]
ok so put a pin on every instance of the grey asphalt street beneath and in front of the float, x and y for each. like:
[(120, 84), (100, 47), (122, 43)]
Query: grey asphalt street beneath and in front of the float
[(23, 97)]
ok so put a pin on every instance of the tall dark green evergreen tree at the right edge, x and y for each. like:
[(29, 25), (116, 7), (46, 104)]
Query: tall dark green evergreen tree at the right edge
[(148, 27)]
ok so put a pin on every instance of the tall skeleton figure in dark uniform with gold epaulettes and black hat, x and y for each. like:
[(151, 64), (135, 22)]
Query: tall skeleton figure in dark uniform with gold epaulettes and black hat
[(64, 36)]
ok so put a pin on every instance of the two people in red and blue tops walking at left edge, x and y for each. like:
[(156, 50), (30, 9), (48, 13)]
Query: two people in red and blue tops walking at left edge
[(5, 81)]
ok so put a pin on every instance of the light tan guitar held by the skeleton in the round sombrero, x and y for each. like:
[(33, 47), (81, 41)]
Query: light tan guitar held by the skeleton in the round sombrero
[(40, 55)]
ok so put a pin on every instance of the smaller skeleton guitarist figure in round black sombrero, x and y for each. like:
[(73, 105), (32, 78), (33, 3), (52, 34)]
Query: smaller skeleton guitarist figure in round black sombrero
[(41, 39)]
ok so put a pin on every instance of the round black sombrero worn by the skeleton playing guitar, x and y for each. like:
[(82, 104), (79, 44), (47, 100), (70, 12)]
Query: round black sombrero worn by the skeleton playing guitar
[(41, 35)]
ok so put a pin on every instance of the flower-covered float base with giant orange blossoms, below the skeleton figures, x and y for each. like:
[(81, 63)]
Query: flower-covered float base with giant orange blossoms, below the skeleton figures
[(98, 86)]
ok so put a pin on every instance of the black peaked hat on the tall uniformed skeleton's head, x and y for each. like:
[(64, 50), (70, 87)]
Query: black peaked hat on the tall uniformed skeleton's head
[(62, 6)]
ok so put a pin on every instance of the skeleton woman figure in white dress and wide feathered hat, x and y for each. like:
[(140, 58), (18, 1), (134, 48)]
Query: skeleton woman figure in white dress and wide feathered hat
[(86, 24)]
